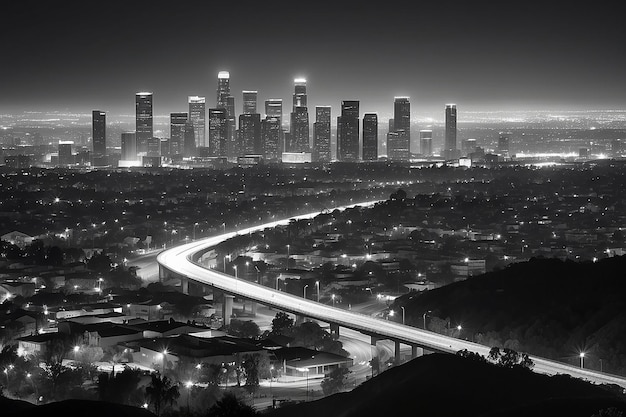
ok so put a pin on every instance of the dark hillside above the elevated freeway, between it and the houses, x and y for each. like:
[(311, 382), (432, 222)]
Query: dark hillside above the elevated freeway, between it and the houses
[(546, 307)]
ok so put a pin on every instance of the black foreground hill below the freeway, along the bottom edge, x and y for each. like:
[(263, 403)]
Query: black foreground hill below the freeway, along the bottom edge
[(442, 385)]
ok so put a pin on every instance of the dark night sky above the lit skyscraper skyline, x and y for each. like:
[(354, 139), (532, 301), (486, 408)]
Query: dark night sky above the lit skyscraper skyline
[(480, 55)]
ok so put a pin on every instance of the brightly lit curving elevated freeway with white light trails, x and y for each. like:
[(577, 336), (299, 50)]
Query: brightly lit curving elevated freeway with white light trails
[(178, 261)]
